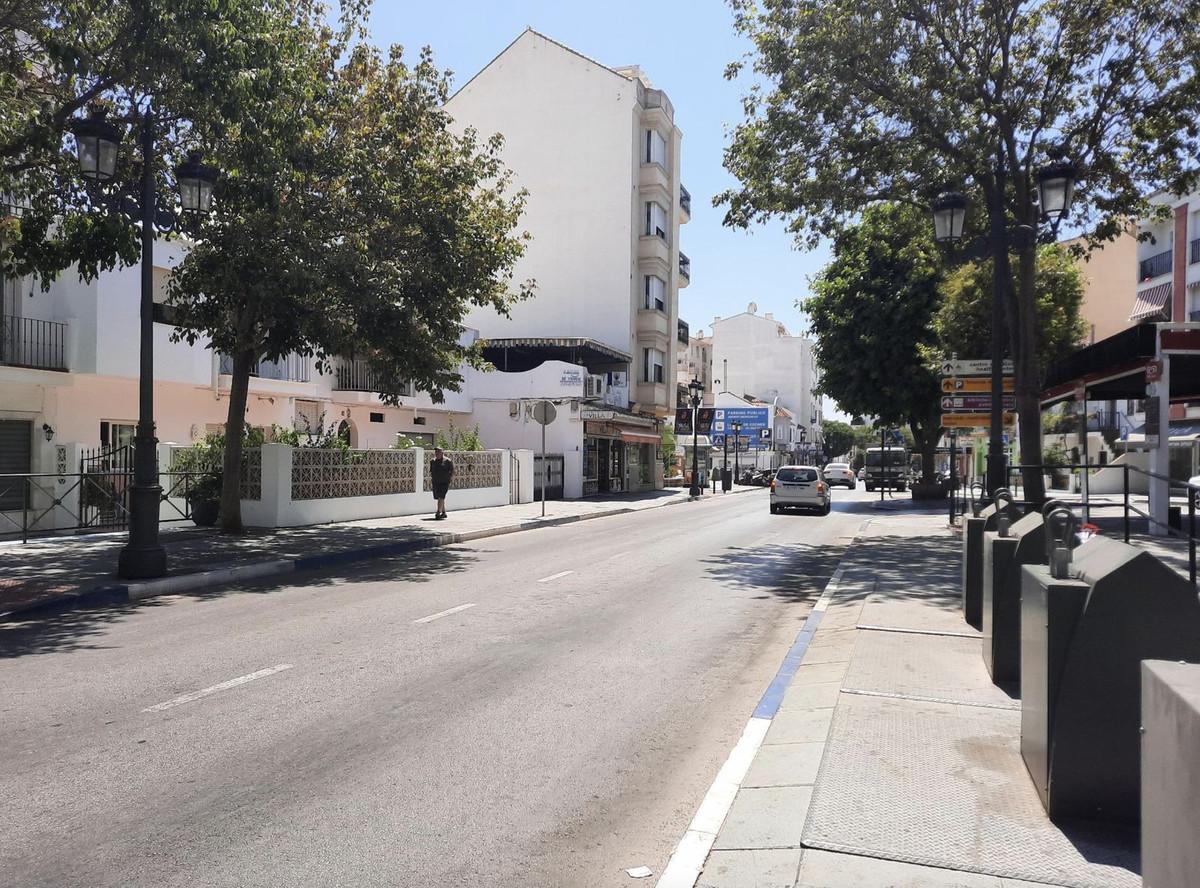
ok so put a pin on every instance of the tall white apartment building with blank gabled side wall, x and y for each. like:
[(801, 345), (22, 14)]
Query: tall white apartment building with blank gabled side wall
[(598, 151)]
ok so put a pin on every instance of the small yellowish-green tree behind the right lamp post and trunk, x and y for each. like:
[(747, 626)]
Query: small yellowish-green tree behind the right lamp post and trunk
[(964, 320)]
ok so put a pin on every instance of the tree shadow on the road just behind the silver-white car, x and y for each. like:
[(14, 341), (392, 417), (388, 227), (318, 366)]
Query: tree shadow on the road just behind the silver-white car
[(794, 572)]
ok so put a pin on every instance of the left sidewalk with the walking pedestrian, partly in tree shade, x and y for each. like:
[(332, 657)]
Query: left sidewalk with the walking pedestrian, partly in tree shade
[(64, 571)]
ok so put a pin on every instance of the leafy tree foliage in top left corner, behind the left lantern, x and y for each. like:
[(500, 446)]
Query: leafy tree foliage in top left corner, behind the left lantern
[(193, 58)]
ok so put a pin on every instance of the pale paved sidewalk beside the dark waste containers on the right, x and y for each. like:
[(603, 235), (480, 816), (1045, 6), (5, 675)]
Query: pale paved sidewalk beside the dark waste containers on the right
[(892, 759)]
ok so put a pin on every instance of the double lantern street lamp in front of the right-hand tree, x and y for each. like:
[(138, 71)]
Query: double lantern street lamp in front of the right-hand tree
[(1057, 189)]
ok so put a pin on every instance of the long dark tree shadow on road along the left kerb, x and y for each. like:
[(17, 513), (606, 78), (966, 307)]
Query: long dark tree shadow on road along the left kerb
[(77, 628)]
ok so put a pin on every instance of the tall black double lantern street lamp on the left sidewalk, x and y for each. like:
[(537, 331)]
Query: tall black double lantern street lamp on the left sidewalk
[(98, 146)]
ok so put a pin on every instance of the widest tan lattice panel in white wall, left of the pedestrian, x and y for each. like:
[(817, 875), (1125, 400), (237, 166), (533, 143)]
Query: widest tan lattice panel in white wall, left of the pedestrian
[(328, 475)]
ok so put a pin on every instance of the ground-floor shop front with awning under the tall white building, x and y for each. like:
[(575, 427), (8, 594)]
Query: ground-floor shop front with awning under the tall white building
[(621, 453)]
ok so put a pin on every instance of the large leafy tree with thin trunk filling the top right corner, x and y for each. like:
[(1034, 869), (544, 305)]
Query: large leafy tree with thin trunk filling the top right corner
[(861, 101)]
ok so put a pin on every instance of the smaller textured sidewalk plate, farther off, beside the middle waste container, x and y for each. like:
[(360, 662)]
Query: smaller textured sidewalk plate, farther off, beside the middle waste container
[(934, 668)]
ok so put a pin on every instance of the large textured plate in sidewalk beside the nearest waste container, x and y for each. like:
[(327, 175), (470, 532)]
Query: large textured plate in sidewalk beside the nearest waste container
[(945, 785)]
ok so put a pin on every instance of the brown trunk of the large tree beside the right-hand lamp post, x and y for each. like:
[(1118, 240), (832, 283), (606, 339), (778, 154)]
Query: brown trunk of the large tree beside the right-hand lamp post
[(1029, 377)]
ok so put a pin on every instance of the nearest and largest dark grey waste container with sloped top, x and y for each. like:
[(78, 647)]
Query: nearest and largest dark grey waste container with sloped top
[(1082, 647)]
